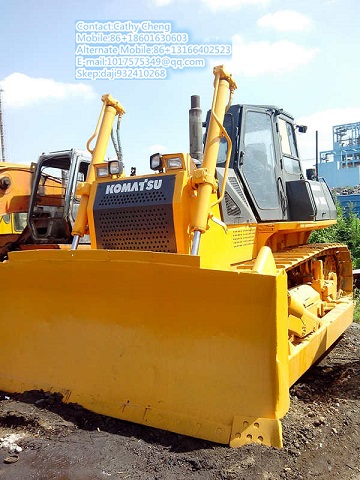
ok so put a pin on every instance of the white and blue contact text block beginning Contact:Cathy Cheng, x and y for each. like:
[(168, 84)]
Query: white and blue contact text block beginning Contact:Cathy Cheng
[(137, 49)]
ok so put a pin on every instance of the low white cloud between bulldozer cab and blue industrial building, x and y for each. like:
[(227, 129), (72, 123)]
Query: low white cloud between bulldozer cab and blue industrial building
[(323, 122)]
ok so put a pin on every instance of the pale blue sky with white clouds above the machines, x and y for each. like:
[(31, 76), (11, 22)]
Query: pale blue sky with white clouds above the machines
[(299, 56)]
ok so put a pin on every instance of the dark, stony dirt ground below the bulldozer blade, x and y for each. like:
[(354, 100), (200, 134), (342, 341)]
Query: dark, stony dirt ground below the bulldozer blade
[(41, 438)]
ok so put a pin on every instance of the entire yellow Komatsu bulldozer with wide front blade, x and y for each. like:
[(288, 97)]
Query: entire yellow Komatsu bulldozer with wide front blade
[(199, 301)]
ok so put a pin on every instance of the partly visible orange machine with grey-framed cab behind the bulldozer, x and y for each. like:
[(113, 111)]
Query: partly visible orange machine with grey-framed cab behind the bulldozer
[(38, 203)]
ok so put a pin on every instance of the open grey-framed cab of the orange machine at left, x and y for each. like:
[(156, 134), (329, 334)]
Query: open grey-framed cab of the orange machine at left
[(53, 203)]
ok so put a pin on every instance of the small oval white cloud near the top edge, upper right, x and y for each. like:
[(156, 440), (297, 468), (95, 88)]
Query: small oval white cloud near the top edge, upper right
[(285, 21)]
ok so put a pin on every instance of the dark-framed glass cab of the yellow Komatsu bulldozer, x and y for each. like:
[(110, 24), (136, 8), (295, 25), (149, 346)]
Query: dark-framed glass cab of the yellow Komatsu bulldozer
[(265, 162)]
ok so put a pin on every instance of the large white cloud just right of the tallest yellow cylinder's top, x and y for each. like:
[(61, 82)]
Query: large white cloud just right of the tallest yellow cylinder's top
[(262, 58)]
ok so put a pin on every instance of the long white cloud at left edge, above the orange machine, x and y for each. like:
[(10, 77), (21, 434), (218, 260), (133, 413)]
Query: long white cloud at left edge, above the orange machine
[(21, 90)]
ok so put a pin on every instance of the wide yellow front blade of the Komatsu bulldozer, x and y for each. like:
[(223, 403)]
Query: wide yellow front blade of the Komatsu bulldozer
[(151, 338)]
